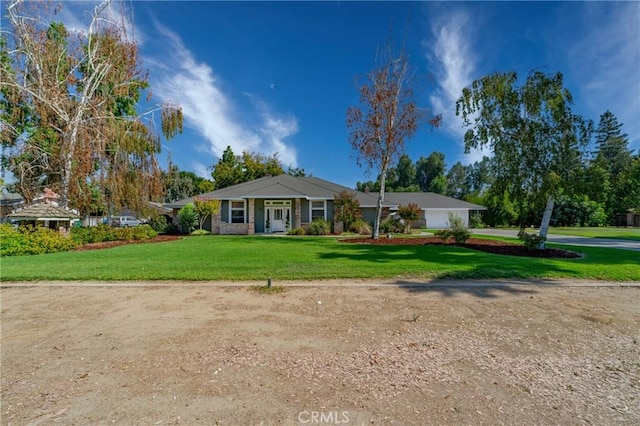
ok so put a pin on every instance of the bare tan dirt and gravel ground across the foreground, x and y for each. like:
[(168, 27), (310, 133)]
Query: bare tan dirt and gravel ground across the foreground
[(186, 354)]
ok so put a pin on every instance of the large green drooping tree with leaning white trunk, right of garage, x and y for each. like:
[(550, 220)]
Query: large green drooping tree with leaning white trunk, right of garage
[(536, 140)]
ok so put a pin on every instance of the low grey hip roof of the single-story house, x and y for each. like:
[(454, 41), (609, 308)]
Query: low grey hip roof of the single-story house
[(313, 188)]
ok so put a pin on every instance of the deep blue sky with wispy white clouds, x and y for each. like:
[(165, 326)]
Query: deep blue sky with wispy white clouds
[(279, 76)]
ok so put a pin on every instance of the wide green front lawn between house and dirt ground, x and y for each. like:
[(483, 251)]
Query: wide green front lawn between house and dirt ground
[(307, 258)]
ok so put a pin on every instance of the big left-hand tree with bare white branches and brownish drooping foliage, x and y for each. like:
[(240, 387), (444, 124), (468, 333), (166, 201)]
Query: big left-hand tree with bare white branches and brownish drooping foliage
[(70, 118)]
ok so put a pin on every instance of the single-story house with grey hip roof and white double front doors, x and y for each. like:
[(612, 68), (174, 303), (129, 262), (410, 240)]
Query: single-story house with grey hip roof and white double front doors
[(280, 203)]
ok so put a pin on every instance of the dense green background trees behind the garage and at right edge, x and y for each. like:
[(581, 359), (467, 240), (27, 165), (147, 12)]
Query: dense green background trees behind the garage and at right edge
[(605, 183)]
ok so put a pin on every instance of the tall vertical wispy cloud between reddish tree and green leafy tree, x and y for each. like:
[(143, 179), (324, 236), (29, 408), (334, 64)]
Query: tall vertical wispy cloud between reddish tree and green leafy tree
[(452, 57)]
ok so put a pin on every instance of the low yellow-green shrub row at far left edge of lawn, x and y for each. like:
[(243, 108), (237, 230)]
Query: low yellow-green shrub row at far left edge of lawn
[(28, 240)]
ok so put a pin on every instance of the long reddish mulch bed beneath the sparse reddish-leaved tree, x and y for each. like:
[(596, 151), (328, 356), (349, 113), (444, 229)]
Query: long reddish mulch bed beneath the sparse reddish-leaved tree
[(489, 246)]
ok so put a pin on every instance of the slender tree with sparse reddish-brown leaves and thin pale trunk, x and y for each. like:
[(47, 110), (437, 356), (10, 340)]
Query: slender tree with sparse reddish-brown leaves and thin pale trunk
[(387, 116)]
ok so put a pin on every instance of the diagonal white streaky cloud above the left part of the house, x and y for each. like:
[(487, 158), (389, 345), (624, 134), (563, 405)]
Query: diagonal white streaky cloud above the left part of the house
[(179, 77)]
